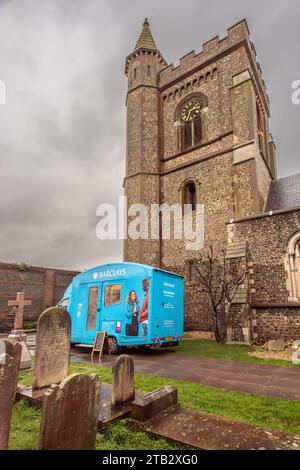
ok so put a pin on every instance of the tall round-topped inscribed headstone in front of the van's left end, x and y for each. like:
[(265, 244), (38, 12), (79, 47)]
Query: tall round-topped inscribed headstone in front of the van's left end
[(52, 353)]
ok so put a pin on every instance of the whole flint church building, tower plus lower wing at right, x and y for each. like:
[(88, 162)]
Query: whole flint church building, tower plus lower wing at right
[(199, 132)]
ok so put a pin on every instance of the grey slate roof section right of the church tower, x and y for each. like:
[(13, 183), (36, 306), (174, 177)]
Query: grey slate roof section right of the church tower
[(284, 193)]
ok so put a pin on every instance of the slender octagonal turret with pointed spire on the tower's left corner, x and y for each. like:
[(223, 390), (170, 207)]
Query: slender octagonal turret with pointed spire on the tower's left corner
[(144, 134)]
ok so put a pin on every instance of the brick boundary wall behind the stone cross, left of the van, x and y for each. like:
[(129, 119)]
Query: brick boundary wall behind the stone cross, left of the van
[(43, 286)]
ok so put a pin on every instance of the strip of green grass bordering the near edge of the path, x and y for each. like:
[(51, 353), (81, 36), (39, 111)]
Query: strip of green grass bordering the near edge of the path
[(258, 410)]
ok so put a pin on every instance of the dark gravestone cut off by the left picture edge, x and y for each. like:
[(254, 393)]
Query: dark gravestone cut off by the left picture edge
[(10, 355)]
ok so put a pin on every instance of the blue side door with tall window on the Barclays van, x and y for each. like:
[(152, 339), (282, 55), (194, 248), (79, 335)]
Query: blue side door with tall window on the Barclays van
[(89, 298)]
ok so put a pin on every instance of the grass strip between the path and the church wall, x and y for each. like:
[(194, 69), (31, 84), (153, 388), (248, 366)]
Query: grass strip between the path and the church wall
[(233, 352)]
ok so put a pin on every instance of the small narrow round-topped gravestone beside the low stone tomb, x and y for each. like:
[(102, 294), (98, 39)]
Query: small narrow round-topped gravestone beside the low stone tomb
[(122, 390)]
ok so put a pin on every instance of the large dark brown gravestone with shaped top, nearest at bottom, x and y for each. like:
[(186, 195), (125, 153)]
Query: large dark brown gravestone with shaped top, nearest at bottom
[(70, 414)]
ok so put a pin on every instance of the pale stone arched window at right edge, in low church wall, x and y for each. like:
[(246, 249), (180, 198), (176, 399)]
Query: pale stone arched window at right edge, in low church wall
[(293, 267)]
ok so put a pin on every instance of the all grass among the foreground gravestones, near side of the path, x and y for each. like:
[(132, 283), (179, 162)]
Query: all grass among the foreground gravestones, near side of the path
[(258, 410)]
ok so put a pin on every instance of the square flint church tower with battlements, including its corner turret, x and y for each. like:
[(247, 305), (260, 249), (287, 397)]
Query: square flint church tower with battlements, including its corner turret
[(197, 133)]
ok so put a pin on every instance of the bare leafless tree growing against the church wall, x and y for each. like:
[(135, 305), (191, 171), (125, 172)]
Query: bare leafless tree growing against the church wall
[(220, 285)]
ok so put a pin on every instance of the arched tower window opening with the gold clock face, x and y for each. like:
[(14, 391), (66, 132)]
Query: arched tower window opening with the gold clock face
[(189, 122)]
